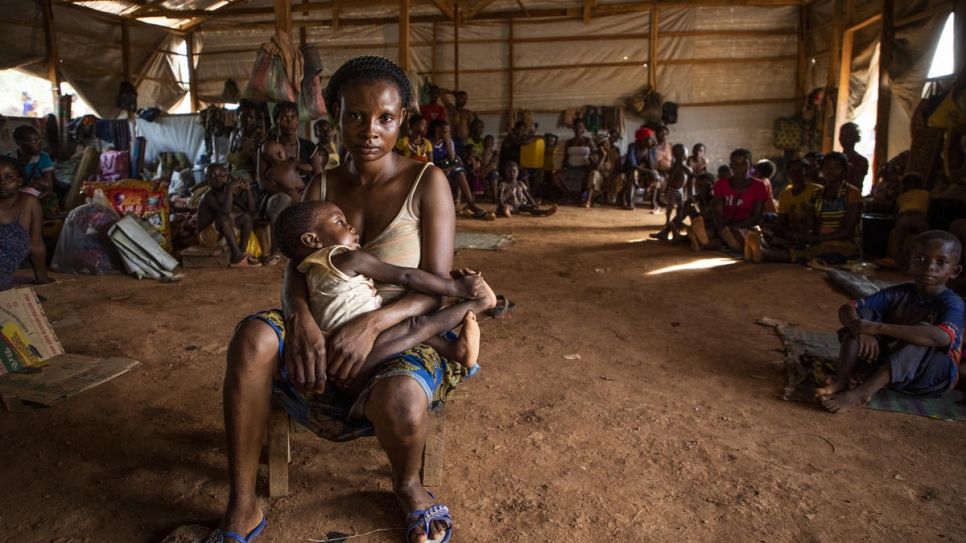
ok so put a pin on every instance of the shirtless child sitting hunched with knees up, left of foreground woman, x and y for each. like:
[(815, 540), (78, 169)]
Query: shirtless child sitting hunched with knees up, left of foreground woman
[(223, 214)]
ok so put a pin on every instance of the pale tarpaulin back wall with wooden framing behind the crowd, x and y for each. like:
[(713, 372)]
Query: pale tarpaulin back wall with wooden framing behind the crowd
[(567, 63)]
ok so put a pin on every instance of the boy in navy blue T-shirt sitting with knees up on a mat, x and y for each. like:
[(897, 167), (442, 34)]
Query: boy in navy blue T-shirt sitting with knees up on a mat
[(910, 333)]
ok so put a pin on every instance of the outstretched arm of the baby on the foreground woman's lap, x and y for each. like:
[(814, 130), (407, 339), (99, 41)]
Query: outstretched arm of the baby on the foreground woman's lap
[(362, 263)]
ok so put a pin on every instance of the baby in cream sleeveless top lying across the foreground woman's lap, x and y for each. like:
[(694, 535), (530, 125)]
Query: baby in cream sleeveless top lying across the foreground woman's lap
[(340, 280)]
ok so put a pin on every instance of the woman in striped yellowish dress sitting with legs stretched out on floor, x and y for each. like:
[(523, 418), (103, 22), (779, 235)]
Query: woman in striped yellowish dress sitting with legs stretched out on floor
[(833, 238)]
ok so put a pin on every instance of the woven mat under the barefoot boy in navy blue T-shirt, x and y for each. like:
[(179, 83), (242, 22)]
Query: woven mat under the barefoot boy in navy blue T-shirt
[(810, 359)]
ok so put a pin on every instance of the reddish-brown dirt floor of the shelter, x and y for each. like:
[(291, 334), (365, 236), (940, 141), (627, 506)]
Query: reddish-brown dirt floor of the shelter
[(669, 426)]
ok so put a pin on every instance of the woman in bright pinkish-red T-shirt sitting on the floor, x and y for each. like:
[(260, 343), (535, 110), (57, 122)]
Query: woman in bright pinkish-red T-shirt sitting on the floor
[(738, 205)]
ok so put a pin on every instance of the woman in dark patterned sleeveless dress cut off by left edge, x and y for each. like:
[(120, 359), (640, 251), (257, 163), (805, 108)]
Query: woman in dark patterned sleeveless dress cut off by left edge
[(21, 226)]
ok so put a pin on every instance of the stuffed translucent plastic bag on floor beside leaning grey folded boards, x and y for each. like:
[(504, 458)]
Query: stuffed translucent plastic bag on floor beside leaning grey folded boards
[(84, 245)]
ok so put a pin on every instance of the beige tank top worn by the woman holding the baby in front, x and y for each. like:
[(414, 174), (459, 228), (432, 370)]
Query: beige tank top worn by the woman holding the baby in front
[(400, 244)]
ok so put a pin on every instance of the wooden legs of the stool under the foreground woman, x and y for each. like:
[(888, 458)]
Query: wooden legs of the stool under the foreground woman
[(280, 452)]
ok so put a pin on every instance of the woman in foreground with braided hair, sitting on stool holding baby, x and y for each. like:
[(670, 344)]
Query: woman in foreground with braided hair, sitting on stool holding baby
[(403, 212)]
